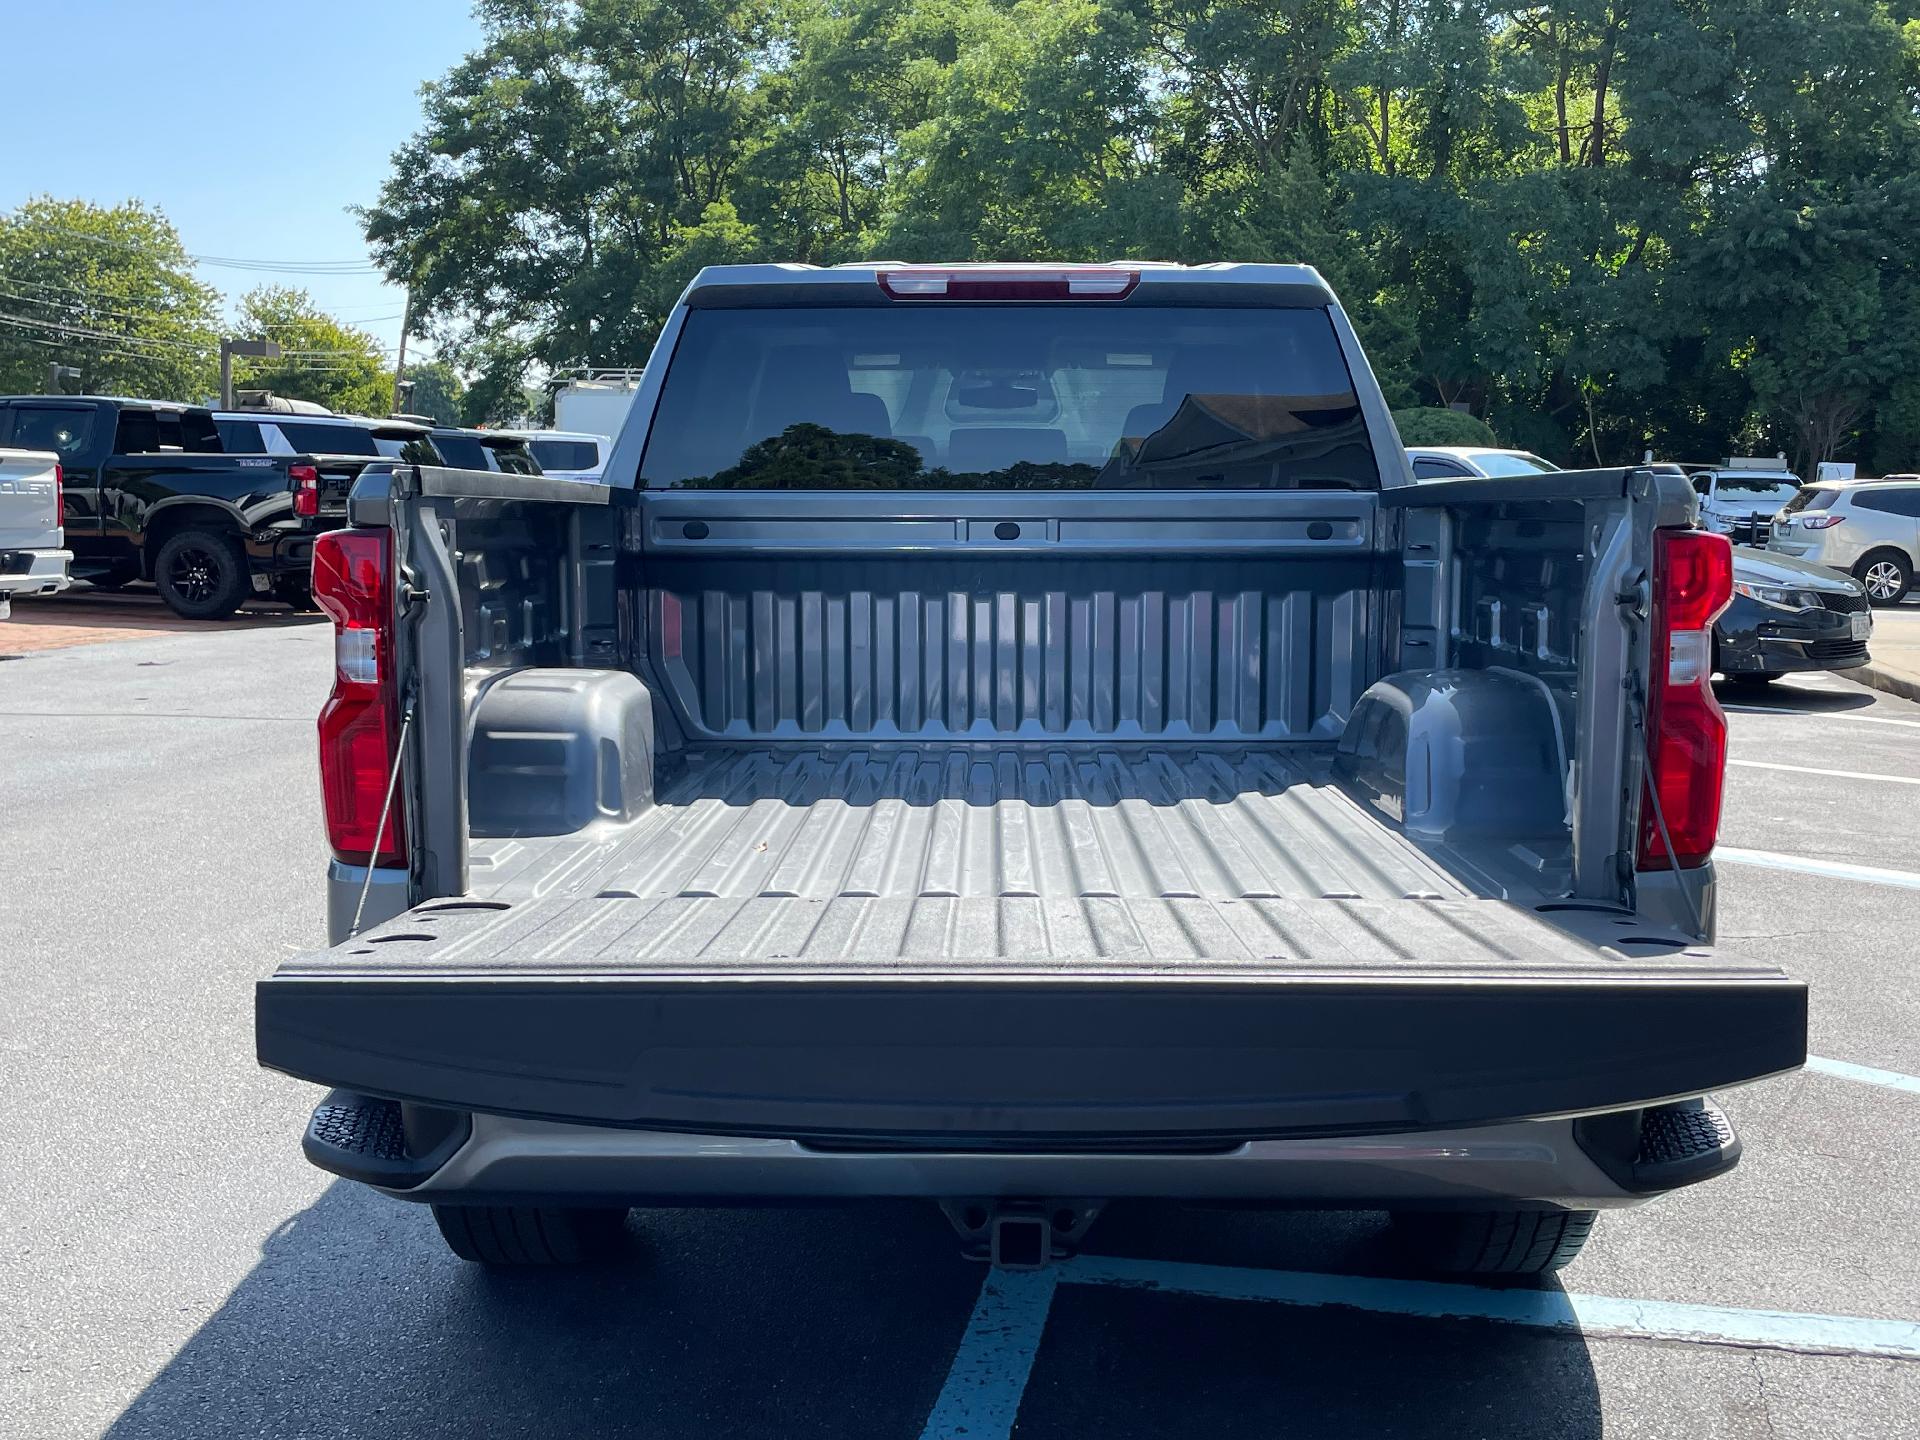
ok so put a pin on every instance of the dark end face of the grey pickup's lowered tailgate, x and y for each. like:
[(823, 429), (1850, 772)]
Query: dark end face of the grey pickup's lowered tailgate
[(1028, 1063)]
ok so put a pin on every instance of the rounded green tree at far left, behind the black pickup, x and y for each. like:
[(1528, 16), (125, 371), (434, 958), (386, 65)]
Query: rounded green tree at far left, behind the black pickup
[(108, 291)]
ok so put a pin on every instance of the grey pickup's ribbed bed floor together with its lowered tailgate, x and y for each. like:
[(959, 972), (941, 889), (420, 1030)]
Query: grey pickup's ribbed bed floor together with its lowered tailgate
[(1013, 948)]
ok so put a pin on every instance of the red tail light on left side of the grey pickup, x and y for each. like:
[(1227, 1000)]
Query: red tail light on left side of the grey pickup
[(360, 723)]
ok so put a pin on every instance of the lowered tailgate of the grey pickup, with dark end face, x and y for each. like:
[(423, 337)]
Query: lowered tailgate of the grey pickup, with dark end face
[(508, 1009)]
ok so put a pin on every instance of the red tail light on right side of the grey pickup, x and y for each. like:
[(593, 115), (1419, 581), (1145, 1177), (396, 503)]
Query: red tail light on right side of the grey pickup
[(1687, 731)]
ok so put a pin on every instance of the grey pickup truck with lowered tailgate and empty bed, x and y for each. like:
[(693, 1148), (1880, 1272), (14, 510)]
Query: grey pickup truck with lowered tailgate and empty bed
[(1022, 738)]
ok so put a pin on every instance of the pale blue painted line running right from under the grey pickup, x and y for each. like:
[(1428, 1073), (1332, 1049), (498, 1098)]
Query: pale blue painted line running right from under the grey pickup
[(1556, 1310)]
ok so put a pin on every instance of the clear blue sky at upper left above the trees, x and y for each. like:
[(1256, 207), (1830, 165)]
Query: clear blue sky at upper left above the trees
[(251, 126)]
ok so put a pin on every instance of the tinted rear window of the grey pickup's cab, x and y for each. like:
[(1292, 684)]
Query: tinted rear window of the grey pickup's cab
[(1072, 396)]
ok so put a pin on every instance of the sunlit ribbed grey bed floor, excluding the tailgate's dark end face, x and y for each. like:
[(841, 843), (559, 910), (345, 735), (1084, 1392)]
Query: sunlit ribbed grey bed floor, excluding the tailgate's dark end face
[(980, 859)]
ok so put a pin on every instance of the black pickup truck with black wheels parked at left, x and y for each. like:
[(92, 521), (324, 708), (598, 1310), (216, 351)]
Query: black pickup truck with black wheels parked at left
[(151, 496)]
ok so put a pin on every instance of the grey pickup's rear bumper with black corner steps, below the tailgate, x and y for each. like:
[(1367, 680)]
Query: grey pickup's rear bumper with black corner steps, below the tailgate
[(504, 1161)]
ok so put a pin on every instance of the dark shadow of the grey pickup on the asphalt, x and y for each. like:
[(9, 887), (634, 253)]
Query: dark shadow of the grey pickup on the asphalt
[(832, 1322)]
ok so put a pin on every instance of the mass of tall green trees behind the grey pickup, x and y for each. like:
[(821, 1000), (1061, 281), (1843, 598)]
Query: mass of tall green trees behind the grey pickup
[(1604, 226)]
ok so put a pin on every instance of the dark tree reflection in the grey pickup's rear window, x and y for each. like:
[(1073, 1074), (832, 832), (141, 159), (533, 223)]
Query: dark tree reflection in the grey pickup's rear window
[(813, 458)]
